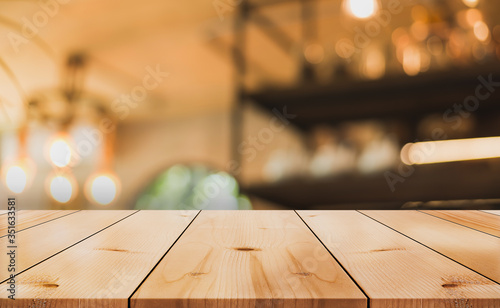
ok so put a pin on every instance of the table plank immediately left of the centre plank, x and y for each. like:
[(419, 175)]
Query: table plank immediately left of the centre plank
[(104, 270)]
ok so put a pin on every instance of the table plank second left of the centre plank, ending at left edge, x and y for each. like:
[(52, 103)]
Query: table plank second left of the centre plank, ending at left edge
[(43, 241)]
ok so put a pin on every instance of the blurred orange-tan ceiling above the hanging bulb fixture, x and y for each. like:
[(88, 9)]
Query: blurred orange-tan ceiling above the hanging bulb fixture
[(122, 38)]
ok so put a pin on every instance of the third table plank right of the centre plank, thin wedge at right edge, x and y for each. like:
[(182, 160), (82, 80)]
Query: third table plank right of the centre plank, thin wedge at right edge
[(477, 220)]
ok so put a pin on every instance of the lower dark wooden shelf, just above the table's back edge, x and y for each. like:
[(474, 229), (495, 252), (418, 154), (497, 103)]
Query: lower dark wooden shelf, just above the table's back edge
[(447, 181)]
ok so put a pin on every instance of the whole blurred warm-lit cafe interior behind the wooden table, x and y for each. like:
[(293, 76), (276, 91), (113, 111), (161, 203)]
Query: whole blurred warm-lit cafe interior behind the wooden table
[(250, 104)]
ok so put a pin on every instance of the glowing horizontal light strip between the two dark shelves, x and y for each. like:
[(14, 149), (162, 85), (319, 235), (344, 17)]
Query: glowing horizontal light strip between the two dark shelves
[(431, 152)]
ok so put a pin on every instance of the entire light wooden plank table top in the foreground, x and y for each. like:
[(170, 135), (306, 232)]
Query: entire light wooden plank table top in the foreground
[(147, 259)]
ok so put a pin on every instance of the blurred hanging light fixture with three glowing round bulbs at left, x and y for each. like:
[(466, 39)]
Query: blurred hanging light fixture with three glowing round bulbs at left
[(61, 110)]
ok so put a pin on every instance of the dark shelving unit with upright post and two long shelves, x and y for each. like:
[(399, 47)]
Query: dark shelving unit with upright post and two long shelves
[(406, 99)]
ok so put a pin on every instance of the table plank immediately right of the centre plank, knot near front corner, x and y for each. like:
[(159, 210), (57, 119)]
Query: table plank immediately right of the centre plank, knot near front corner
[(395, 271)]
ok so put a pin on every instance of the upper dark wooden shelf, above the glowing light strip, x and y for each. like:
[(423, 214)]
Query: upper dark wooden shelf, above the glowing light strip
[(392, 97)]
